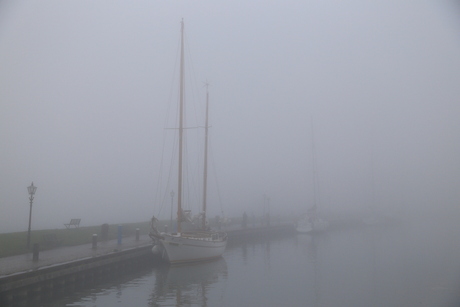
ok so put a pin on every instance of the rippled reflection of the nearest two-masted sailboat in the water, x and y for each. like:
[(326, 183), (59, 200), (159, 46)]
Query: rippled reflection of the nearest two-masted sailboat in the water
[(186, 285)]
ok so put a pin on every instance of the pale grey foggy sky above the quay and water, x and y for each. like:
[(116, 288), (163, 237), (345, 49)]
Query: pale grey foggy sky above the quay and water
[(87, 88)]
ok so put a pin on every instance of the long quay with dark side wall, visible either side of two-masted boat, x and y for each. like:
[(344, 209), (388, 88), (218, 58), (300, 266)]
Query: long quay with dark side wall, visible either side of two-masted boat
[(25, 281)]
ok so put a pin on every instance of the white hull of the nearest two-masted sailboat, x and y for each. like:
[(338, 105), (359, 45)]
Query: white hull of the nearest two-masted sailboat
[(192, 247)]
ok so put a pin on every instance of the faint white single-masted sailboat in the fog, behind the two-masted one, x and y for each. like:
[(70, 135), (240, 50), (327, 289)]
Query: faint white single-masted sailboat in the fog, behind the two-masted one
[(311, 222)]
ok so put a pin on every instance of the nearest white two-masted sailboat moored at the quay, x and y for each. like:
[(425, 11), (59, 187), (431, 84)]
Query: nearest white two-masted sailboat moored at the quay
[(196, 245)]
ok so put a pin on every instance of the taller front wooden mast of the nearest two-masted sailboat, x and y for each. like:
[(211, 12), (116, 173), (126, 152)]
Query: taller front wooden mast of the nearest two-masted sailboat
[(181, 129)]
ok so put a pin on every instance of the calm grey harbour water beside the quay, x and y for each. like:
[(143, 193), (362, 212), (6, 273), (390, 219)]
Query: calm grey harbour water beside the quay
[(414, 265)]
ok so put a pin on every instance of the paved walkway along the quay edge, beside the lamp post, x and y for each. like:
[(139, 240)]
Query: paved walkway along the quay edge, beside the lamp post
[(21, 263)]
